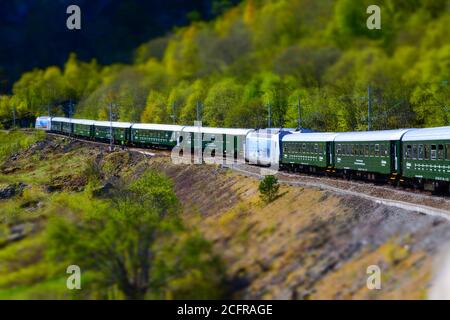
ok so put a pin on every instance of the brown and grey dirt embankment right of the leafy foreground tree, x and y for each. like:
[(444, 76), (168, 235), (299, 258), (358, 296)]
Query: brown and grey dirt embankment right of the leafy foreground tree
[(308, 244)]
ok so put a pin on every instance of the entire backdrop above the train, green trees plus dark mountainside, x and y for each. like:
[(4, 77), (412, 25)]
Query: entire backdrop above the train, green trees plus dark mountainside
[(242, 63)]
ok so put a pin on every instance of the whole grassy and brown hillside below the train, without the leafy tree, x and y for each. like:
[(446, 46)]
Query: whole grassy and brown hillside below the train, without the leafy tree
[(307, 244)]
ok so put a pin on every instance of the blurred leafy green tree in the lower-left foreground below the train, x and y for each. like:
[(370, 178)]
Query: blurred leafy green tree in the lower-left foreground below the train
[(136, 243)]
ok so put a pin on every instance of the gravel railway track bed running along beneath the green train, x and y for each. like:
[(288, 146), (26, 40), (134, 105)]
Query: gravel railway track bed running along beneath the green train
[(419, 202)]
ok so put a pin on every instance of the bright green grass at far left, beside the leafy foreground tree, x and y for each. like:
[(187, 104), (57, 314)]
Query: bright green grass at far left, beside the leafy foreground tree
[(25, 273)]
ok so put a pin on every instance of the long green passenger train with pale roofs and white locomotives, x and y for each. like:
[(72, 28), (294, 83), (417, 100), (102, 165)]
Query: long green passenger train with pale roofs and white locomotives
[(412, 157)]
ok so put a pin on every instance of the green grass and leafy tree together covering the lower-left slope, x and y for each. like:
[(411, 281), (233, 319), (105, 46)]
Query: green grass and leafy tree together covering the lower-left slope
[(129, 241)]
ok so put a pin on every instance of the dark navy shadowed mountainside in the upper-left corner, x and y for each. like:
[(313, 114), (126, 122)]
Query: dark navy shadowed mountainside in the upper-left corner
[(34, 34)]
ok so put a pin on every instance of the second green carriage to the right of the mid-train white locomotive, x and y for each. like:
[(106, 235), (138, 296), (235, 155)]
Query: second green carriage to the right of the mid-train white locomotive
[(371, 155)]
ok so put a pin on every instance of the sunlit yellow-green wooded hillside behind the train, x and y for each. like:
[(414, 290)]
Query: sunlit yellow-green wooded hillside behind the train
[(266, 52)]
